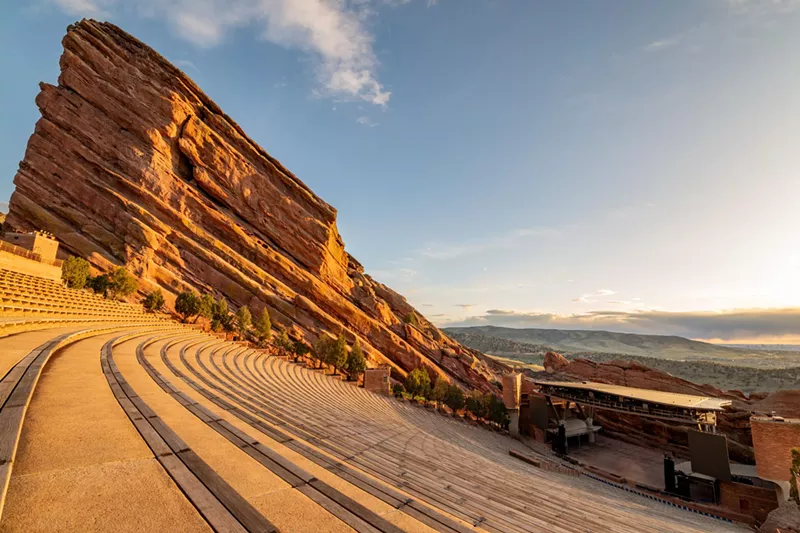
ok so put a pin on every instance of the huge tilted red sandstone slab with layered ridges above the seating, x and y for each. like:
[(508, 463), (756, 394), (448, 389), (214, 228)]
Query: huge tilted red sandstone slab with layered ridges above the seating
[(131, 164)]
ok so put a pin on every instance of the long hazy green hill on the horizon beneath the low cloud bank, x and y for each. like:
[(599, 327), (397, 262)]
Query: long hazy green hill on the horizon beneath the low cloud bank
[(502, 341)]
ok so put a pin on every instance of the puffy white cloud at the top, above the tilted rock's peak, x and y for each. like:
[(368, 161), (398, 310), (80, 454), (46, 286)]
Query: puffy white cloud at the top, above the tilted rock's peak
[(334, 33)]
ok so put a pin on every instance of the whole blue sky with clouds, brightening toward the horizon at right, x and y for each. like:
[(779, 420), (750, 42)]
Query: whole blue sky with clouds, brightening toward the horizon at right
[(631, 165)]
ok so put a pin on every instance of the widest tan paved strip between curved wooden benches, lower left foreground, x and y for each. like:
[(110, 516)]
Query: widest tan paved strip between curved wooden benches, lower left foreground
[(81, 466)]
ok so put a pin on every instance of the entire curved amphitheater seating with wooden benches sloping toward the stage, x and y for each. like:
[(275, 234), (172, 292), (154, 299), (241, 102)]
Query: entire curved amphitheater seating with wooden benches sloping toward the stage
[(131, 423)]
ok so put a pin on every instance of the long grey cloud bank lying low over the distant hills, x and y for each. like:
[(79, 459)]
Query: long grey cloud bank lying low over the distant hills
[(724, 325)]
